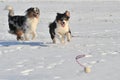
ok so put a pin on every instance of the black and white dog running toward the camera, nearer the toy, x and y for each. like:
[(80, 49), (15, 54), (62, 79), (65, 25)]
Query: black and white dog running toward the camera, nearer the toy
[(59, 28)]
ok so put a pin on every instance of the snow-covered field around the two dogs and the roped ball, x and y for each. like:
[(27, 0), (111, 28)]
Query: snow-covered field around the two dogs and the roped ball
[(95, 28)]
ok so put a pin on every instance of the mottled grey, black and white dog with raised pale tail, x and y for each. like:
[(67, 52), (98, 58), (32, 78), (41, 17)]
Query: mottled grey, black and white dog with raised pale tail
[(23, 26)]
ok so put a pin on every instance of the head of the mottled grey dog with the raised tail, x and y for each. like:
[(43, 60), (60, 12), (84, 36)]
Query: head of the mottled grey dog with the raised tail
[(33, 12)]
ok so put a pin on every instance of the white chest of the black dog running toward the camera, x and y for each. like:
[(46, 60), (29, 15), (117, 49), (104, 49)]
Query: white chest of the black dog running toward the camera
[(62, 30)]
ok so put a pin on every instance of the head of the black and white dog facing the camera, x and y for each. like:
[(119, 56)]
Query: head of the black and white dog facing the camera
[(63, 18)]
